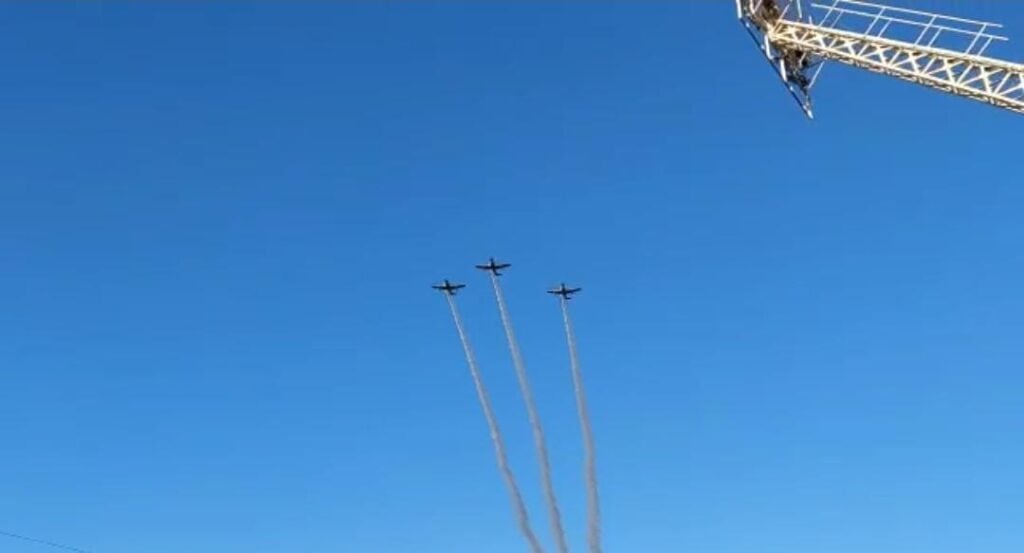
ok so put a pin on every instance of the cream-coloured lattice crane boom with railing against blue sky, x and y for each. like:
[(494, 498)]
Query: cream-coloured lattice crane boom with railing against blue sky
[(934, 51)]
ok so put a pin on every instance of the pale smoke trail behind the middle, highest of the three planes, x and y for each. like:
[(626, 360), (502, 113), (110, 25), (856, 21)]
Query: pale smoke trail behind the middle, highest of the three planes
[(535, 421)]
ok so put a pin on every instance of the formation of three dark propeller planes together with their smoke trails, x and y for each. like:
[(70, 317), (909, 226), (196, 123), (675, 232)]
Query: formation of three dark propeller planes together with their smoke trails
[(495, 270)]
